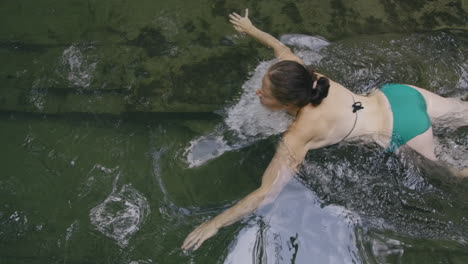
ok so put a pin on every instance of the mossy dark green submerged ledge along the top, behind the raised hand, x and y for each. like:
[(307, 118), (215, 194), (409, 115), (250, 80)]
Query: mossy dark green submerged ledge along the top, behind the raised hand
[(162, 56)]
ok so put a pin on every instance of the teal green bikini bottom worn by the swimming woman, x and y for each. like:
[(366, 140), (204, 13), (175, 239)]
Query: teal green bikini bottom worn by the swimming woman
[(410, 116)]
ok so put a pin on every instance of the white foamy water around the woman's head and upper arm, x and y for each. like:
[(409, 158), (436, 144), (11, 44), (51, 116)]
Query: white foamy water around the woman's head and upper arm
[(247, 120)]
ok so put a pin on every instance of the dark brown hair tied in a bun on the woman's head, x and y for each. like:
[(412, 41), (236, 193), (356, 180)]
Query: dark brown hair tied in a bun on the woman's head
[(292, 83)]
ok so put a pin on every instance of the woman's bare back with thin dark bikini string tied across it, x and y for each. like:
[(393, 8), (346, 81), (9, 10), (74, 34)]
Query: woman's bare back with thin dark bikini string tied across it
[(335, 120)]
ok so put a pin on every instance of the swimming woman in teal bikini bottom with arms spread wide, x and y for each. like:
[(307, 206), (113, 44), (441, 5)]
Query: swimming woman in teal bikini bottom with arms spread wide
[(327, 113)]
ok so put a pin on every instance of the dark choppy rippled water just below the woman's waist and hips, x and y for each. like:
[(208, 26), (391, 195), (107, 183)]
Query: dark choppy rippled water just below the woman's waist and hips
[(388, 192)]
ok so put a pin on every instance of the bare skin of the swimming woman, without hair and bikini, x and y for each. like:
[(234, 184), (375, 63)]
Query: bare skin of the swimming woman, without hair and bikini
[(316, 127)]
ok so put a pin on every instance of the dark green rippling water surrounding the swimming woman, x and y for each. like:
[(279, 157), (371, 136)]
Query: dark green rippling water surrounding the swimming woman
[(124, 125)]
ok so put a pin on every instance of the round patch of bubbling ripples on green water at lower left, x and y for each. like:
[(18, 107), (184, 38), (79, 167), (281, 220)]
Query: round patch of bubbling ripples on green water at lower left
[(121, 214)]
